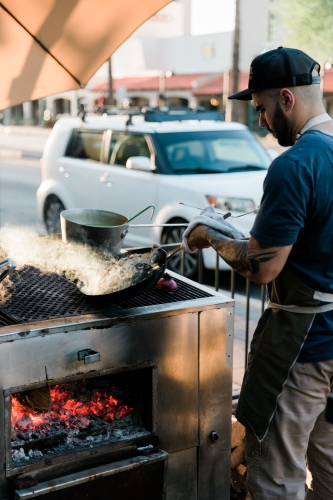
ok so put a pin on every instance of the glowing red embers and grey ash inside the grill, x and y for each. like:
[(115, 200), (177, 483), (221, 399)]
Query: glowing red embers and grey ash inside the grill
[(82, 413)]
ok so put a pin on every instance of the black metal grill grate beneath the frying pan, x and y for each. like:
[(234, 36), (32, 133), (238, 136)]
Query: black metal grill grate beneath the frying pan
[(37, 297)]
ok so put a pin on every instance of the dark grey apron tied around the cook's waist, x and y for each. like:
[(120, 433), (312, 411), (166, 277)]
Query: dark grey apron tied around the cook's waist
[(276, 344)]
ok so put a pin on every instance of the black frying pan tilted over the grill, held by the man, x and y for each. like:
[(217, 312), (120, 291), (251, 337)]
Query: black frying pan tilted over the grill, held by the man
[(146, 283)]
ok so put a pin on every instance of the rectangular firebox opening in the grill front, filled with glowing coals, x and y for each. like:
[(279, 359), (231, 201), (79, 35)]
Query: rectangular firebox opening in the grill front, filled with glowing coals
[(84, 414)]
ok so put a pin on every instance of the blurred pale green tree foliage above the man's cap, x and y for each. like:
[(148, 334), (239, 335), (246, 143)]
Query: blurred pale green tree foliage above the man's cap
[(309, 26)]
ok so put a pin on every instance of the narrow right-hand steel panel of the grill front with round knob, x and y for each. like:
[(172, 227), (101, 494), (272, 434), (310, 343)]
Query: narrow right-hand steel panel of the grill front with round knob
[(215, 398)]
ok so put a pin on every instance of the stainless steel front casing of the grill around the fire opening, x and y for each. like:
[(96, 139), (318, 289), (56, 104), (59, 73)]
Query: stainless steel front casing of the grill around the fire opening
[(188, 347)]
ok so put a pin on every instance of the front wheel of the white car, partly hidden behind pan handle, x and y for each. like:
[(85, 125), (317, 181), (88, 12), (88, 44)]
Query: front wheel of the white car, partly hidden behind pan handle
[(174, 235)]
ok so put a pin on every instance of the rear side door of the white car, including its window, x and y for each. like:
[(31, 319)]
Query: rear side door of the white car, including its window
[(81, 168)]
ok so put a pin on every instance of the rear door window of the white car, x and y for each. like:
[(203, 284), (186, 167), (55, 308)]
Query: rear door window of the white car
[(86, 145)]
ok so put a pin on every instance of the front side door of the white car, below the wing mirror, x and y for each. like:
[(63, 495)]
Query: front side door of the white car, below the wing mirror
[(128, 191)]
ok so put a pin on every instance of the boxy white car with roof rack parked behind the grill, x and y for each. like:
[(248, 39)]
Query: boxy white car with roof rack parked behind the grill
[(124, 164)]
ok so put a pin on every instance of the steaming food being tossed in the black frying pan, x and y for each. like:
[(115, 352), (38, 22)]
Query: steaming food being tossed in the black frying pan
[(94, 272)]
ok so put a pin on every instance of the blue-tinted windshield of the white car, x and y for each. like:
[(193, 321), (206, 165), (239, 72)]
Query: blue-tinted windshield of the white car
[(212, 152)]
